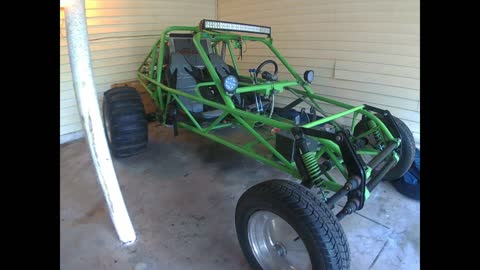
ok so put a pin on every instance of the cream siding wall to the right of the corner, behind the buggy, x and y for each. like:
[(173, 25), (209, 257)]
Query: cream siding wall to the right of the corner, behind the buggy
[(362, 51)]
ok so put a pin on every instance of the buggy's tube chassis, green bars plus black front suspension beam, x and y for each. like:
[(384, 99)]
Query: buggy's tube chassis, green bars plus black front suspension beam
[(341, 148)]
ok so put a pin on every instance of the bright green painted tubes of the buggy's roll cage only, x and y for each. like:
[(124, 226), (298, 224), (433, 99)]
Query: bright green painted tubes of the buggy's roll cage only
[(163, 95)]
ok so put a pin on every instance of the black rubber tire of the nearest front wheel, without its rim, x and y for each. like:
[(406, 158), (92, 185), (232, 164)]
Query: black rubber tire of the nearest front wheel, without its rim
[(309, 217)]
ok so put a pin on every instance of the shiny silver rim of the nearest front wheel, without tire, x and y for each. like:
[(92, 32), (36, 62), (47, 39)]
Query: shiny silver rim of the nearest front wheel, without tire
[(275, 244)]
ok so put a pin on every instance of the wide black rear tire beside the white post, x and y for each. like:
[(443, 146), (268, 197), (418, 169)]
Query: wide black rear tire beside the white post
[(125, 122)]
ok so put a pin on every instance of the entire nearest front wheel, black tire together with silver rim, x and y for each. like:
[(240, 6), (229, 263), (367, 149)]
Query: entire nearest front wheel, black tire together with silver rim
[(282, 225)]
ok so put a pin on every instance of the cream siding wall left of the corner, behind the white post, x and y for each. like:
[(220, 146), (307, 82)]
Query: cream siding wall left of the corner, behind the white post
[(121, 33)]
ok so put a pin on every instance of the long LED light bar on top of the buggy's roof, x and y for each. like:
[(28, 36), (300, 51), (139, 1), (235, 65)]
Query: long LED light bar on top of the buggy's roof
[(235, 27)]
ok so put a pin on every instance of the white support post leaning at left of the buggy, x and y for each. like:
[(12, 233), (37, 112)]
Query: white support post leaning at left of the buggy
[(87, 100)]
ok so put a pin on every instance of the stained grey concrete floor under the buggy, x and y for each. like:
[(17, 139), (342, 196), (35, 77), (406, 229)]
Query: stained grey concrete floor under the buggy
[(181, 195)]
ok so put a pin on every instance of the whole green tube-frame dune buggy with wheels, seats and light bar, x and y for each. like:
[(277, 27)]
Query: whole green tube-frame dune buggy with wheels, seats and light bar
[(193, 76)]
